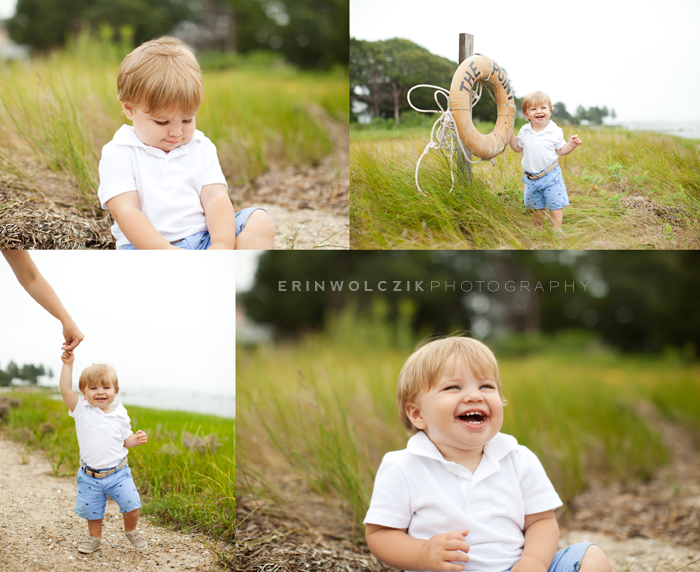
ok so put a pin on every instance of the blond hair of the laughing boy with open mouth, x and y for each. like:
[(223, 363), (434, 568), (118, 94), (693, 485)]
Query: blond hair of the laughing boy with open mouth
[(424, 366)]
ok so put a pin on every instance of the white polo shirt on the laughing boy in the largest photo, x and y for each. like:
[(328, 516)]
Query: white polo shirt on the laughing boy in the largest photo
[(418, 490)]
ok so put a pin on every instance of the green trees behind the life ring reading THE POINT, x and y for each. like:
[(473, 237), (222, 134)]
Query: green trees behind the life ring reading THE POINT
[(382, 73)]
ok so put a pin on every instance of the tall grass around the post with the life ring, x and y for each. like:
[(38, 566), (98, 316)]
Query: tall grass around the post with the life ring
[(628, 190)]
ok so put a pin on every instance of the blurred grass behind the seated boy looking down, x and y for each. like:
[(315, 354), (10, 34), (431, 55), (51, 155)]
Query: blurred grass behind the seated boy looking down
[(63, 108)]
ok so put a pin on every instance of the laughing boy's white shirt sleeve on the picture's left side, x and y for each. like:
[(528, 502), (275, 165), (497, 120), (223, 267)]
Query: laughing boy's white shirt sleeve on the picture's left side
[(391, 499)]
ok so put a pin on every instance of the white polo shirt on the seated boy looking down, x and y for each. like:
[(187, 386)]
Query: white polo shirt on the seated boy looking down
[(168, 184)]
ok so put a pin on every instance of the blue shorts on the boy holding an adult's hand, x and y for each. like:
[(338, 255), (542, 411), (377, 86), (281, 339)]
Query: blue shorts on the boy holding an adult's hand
[(92, 495)]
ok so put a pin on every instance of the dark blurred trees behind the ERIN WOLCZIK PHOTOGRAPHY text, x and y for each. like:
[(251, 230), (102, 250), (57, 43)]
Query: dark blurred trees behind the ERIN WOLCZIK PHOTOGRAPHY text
[(634, 301)]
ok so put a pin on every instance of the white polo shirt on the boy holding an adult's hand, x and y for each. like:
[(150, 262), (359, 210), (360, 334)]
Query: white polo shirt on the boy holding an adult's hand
[(101, 435)]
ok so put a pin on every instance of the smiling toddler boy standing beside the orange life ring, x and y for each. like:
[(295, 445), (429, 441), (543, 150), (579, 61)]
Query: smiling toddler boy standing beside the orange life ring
[(543, 142)]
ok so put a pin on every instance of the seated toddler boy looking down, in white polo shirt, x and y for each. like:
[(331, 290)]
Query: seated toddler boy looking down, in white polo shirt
[(161, 179)]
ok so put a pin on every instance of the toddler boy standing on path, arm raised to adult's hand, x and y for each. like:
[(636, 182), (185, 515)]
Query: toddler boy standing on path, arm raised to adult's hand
[(104, 434)]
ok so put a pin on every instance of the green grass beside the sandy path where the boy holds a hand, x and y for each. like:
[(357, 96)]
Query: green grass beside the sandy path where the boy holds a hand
[(185, 473)]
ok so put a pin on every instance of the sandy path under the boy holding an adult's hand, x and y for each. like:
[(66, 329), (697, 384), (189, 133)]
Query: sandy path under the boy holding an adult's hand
[(40, 532)]
